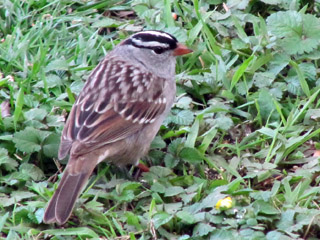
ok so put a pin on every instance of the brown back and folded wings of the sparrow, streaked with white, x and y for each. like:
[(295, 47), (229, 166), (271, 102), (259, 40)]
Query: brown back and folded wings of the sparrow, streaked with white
[(113, 107)]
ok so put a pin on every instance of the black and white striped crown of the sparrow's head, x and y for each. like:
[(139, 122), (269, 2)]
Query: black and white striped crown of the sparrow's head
[(156, 40)]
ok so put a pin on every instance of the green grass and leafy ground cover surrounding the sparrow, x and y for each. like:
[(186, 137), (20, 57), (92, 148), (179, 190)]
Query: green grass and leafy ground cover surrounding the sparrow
[(245, 123)]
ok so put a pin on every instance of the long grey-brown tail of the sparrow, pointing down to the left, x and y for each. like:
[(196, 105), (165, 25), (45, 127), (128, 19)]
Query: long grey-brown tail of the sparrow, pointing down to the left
[(71, 185)]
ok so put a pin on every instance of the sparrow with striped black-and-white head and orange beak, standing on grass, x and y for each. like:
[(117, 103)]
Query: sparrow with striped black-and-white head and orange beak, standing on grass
[(117, 113)]
